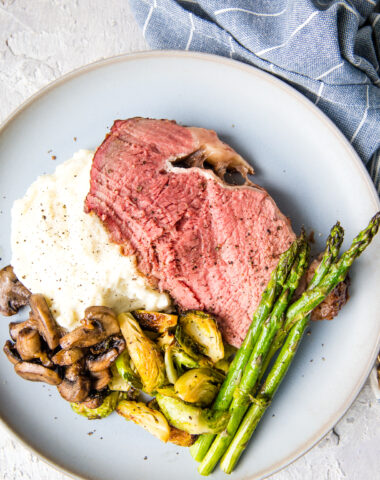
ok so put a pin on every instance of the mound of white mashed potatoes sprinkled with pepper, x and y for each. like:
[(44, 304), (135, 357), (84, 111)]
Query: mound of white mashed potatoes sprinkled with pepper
[(65, 254)]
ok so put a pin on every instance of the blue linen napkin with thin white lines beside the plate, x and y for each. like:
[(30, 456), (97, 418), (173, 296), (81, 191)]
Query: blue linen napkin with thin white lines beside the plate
[(329, 50)]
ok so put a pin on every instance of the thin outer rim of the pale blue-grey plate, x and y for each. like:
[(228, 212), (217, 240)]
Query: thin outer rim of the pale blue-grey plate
[(277, 82)]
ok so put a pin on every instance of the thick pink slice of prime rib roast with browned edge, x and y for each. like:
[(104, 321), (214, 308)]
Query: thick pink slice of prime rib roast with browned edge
[(212, 246)]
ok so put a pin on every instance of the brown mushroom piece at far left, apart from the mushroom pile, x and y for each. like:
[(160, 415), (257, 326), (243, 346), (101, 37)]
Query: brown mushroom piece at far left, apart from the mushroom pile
[(13, 294)]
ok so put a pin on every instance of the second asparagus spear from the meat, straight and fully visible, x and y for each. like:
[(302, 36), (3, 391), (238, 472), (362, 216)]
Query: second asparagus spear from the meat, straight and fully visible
[(242, 393)]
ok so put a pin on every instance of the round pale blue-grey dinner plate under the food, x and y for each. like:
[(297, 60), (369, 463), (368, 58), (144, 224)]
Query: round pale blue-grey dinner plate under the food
[(307, 166)]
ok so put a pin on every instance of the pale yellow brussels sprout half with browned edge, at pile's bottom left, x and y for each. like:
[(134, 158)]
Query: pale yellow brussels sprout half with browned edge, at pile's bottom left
[(150, 419)]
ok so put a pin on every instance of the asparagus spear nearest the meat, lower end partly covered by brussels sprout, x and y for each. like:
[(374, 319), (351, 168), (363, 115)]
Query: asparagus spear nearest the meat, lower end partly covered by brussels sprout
[(277, 280)]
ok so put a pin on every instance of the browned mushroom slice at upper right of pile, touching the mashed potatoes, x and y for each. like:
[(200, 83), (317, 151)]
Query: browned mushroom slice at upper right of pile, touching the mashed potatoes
[(98, 324)]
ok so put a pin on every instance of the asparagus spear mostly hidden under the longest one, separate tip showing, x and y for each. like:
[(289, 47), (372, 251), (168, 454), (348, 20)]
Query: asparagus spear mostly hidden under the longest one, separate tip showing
[(331, 252)]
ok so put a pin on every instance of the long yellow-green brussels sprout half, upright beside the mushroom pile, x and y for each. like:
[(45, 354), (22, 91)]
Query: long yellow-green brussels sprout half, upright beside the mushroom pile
[(144, 353)]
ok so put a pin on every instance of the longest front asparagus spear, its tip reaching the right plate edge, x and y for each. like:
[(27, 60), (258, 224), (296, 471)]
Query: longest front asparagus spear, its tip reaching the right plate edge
[(259, 405)]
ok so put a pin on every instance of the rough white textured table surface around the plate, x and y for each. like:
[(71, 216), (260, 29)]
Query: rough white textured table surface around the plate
[(40, 40)]
